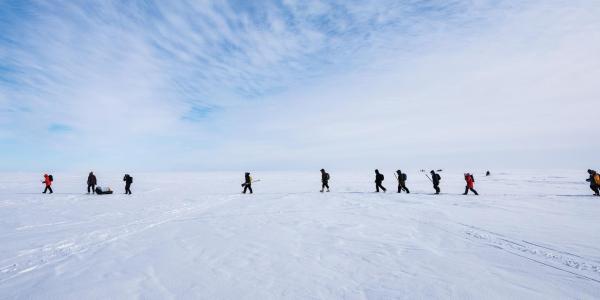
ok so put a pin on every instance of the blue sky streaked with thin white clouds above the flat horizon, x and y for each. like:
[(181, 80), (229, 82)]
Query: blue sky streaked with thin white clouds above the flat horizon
[(236, 85)]
